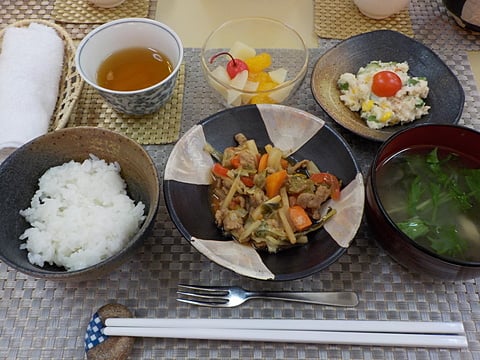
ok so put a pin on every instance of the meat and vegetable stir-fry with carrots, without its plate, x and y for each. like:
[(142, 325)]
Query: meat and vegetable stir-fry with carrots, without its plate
[(263, 199)]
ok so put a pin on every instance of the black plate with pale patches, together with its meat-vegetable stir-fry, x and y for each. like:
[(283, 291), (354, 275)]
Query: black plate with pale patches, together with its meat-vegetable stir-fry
[(267, 191)]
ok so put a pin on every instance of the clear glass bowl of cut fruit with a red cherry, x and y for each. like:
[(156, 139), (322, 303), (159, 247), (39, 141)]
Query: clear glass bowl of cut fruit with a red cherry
[(254, 60)]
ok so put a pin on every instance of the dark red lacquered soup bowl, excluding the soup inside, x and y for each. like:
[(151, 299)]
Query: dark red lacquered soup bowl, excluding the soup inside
[(418, 259)]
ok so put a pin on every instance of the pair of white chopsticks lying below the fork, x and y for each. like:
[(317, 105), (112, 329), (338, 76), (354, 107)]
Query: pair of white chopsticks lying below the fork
[(352, 332)]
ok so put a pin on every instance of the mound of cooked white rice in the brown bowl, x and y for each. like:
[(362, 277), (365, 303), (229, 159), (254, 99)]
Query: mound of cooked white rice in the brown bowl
[(80, 215)]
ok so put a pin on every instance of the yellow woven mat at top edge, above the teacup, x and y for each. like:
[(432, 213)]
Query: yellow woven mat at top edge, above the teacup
[(82, 12)]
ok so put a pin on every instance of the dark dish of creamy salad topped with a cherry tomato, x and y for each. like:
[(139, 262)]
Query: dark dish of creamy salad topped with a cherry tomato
[(377, 83)]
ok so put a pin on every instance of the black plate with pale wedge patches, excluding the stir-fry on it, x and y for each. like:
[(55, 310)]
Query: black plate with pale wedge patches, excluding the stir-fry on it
[(188, 175)]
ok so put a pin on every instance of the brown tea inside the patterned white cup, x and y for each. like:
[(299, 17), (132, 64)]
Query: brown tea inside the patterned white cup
[(133, 69)]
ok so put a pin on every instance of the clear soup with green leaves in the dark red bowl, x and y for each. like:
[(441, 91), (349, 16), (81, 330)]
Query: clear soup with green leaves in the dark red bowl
[(433, 196)]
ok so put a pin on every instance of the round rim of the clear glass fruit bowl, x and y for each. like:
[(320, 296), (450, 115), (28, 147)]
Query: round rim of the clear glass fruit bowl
[(288, 83)]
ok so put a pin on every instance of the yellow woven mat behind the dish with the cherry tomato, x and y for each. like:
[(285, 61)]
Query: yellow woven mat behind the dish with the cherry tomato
[(341, 19)]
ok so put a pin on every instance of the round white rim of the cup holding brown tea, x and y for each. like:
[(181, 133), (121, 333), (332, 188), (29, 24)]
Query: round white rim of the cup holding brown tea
[(113, 23)]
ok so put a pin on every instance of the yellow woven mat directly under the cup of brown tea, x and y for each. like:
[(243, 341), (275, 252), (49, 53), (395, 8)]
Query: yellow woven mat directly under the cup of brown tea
[(161, 127)]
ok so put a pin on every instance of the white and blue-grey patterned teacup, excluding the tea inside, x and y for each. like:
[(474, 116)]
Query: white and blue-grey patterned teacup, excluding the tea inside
[(125, 33)]
